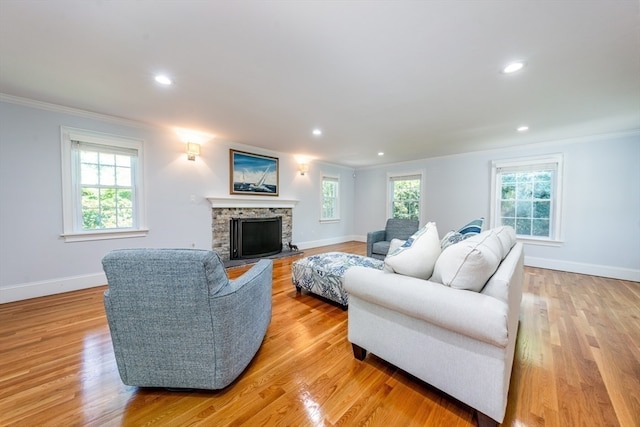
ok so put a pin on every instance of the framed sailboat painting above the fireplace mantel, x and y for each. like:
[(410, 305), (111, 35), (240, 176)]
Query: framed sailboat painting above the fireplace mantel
[(253, 174)]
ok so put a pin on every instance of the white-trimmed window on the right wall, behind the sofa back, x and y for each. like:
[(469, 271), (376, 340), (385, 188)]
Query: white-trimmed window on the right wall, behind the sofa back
[(527, 195)]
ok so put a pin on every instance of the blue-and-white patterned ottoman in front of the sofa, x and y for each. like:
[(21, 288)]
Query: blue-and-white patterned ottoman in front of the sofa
[(322, 274)]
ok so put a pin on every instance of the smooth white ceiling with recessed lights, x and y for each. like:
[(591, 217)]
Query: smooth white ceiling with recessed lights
[(414, 79)]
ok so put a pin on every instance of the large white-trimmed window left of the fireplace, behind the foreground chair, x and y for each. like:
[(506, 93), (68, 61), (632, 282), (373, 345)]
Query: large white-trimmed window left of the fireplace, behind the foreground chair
[(102, 186)]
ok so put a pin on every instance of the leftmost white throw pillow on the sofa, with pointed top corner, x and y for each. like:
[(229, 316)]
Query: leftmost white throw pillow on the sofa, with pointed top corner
[(417, 256)]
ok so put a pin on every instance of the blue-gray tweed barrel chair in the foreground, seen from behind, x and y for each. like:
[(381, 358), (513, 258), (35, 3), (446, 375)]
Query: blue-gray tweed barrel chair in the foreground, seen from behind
[(177, 321)]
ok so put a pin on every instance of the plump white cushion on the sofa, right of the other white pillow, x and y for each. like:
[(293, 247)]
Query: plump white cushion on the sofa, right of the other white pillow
[(470, 263)]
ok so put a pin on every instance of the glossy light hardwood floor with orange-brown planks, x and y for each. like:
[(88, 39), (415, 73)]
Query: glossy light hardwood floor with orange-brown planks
[(577, 364)]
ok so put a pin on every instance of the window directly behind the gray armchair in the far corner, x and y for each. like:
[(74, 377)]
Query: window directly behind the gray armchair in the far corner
[(404, 196)]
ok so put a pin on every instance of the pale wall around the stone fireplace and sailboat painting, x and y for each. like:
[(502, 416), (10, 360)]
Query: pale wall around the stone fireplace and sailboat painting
[(35, 260)]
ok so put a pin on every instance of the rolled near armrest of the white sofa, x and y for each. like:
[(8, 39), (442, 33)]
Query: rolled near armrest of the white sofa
[(465, 312)]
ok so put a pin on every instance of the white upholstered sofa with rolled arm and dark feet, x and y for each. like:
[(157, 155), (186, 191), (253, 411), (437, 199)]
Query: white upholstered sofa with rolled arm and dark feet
[(459, 341)]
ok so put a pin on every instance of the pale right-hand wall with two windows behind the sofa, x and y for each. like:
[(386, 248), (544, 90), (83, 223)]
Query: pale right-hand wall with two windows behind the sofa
[(601, 209)]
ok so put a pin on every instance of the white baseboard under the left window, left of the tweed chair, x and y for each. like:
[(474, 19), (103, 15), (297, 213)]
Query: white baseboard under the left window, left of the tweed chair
[(51, 287)]
